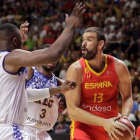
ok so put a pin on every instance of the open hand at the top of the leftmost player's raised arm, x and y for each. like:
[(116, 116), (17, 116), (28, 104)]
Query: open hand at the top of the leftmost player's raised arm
[(75, 18)]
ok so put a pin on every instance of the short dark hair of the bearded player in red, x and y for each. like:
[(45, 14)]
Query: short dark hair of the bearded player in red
[(100, 33)]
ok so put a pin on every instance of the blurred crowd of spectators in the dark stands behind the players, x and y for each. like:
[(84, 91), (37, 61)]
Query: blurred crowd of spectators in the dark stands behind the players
[(120, 19)]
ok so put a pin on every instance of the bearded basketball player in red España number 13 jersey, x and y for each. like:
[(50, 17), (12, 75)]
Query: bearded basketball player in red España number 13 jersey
[(92, 105)]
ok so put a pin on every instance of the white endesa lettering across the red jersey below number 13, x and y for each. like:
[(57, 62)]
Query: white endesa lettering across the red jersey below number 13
[(96, 108)]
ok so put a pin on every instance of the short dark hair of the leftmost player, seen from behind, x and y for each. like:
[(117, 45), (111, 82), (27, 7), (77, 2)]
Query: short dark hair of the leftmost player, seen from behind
[(6, 29)]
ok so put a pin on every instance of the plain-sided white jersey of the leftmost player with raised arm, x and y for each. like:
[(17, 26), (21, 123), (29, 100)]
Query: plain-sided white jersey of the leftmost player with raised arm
[(13, 96)]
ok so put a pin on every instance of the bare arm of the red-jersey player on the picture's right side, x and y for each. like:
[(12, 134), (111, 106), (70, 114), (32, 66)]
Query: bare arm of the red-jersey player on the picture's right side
[(124, 86)]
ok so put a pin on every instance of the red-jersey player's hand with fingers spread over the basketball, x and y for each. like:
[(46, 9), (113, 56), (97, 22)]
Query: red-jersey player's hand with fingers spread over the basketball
[(112, 128)]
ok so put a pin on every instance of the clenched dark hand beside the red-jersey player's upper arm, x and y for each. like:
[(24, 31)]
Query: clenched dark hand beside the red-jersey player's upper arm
[(68, 85)]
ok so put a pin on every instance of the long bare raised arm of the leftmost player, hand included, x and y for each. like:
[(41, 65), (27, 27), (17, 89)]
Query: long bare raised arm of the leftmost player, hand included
[(20, 58)]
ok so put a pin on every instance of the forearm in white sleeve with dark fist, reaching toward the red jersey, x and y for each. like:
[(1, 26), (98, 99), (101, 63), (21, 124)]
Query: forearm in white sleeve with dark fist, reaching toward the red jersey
[(39, 94)]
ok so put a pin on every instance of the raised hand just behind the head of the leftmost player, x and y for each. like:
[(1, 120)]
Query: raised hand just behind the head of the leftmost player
[(24, 30)]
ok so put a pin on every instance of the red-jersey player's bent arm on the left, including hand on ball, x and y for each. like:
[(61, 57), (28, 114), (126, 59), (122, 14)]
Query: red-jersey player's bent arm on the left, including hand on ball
[(73, 102)]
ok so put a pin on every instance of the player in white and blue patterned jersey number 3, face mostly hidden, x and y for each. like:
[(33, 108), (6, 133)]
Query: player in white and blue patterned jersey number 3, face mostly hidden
[(42, 114)]
